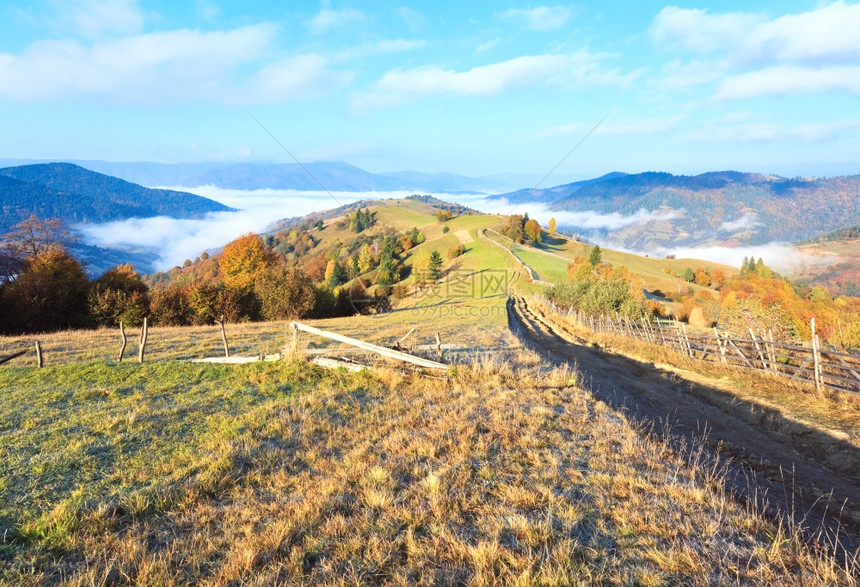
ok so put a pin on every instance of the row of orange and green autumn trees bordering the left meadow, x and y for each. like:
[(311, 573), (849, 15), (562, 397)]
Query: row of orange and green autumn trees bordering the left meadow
[(43, 287)]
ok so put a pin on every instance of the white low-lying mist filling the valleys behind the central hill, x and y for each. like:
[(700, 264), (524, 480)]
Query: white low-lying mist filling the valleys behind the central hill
[(181, 239)]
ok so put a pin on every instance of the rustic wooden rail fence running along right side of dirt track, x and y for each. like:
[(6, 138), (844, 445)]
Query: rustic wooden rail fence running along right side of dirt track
[(824, 367)]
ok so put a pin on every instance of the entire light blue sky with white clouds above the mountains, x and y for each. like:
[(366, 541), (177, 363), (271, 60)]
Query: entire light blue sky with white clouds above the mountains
[(477, 88)]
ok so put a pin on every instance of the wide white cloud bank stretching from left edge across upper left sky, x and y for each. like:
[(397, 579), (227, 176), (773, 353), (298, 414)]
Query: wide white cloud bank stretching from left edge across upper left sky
[(165, 67)]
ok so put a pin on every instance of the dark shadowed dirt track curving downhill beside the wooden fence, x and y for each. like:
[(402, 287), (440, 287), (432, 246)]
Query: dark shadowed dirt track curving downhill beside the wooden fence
[(823, 500)]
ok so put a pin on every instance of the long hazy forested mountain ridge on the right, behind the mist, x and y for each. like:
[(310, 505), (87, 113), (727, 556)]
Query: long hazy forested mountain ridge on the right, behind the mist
[(724, 207)]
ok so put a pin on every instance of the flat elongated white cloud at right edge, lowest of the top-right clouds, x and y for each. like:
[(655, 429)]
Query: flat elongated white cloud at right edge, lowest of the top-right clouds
[(788, 79)]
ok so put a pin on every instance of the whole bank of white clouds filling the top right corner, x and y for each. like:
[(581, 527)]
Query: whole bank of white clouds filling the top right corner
[(813, 51)]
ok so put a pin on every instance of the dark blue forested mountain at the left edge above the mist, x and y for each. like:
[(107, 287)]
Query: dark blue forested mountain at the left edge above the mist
[(76, 195)]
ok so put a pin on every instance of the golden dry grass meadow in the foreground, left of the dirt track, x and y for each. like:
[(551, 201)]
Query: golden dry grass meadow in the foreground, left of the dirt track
[(505, 473)]
